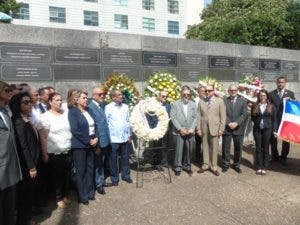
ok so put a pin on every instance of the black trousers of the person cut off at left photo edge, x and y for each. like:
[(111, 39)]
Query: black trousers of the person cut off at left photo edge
[(8, 205)]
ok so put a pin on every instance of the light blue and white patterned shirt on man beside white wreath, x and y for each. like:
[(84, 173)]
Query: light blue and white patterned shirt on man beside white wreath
[(118, 122)]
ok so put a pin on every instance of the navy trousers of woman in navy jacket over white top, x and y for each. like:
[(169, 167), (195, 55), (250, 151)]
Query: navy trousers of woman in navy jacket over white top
[(84, 170)]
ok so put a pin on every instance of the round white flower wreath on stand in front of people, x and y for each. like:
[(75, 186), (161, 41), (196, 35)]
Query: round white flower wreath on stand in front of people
[(139, 122)]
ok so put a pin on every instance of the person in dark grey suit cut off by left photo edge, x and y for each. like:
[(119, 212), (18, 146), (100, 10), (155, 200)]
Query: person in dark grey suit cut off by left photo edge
[(10, 170)]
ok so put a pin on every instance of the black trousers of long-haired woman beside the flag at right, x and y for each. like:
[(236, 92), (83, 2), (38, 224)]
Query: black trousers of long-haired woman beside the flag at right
[(262, 140)]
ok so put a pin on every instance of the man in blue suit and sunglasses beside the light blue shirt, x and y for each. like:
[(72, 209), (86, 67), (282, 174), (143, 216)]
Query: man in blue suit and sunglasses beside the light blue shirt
[(98, 114)]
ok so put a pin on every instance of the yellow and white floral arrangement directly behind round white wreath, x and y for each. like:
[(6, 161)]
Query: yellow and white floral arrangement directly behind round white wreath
[(163, 81)]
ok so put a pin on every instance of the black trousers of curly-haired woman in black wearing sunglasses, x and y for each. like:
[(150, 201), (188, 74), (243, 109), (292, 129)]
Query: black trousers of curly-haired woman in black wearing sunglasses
[(25, 199)]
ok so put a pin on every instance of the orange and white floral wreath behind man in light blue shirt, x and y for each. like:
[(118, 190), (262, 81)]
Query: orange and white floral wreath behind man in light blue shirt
[(125, 85)]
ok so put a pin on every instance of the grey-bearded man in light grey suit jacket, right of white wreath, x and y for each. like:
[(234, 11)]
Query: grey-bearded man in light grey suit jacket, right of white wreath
[(184, 119)]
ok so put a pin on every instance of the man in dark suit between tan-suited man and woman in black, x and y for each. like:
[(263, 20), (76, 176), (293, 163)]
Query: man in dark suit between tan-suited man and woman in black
[(236, 115)]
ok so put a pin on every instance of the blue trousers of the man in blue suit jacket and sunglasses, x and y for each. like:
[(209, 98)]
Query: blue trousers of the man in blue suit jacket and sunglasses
[(99, 166)]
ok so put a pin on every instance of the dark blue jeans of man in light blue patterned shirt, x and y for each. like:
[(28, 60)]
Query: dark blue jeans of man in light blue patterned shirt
[(123, 150)]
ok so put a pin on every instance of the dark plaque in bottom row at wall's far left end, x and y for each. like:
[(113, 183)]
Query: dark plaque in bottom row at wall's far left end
[(26, 72)]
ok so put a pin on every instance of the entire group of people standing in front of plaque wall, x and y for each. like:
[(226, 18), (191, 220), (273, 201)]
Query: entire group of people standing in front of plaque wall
[(88, 139)]
